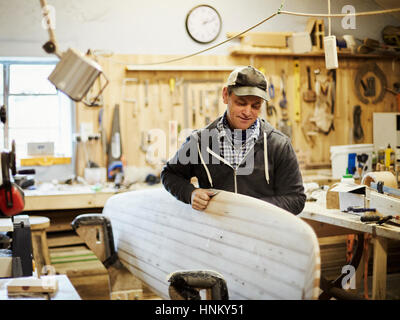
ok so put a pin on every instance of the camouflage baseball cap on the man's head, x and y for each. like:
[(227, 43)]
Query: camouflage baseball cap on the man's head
[(248, 81)]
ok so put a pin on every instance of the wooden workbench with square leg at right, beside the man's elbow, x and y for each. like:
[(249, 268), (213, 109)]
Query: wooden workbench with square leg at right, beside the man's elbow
[(332, 222)]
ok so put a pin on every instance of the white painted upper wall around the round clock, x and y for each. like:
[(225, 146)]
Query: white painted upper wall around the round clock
[(158, 27)]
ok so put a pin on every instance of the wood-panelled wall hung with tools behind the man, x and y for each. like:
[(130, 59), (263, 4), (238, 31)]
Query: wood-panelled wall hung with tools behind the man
[(159, 106)]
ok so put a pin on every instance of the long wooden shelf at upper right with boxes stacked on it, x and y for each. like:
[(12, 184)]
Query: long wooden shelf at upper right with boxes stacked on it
[(247, 50)]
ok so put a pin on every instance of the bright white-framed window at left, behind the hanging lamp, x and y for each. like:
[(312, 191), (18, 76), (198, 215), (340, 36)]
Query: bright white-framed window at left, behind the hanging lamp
[(37, 112)]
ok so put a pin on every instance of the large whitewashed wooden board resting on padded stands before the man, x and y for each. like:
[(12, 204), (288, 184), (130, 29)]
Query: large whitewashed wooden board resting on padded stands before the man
[(262, 251)]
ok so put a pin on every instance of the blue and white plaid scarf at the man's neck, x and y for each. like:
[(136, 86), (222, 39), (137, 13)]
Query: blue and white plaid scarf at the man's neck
[(235, 144)]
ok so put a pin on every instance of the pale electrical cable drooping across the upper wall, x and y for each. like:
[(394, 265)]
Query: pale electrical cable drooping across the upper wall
[(279, 11)]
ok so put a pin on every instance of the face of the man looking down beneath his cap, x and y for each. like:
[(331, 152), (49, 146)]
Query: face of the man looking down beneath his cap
[(242, 110)]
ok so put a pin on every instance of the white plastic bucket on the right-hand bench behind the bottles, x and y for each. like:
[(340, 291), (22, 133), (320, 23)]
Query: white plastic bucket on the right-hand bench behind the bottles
[(340, 155)]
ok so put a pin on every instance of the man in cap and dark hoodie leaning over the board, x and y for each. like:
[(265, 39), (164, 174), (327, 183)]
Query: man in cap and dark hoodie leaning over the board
[(238, 152)]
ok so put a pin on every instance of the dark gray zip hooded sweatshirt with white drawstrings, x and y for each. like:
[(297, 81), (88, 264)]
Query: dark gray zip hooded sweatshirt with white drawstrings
[(269, 172)]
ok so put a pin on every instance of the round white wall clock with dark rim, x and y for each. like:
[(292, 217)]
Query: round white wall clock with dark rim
[(203, 23)]
